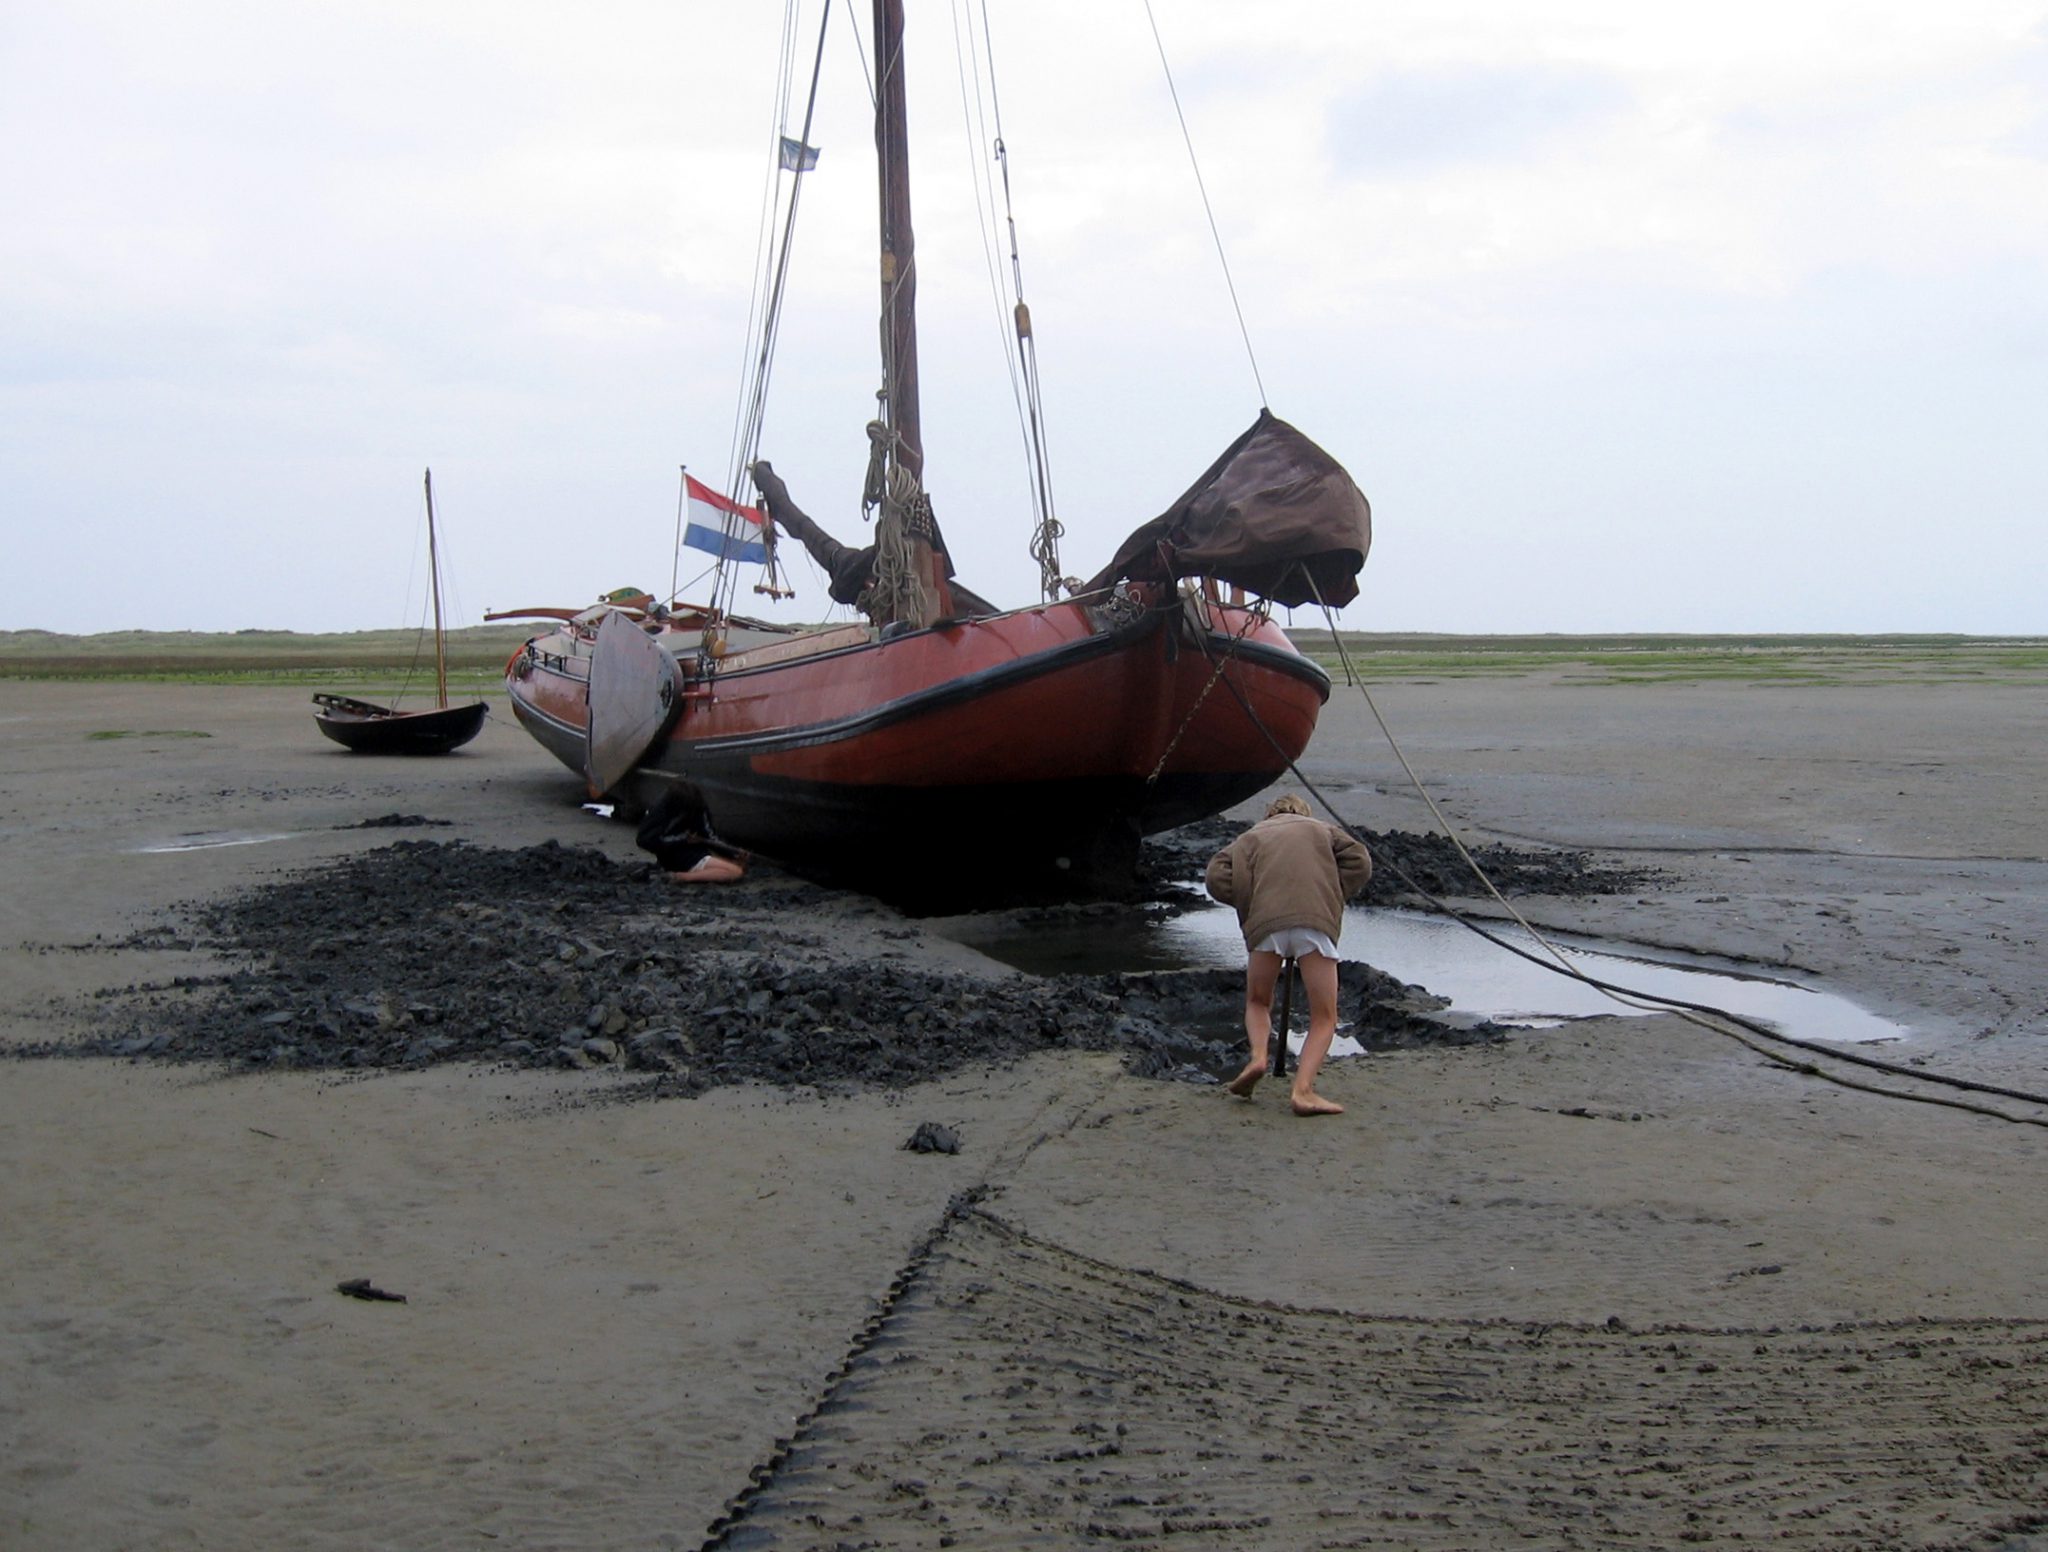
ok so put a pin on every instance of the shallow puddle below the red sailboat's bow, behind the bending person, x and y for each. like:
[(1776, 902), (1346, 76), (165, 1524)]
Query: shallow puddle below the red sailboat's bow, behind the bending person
[(1428, 951)]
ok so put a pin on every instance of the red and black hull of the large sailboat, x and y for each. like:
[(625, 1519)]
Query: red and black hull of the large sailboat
[(1043, 742)]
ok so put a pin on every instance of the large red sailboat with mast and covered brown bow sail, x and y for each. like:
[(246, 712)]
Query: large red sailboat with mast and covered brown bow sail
[(945, 744)]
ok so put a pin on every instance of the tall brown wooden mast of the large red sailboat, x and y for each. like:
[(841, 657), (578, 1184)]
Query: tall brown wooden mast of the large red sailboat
[(900, 294)]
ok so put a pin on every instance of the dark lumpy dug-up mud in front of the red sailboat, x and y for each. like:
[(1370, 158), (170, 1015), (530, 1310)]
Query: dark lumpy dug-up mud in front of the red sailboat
[(558, 957)]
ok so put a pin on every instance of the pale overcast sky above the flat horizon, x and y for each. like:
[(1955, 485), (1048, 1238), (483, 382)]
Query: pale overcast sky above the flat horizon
[(1625, 316)]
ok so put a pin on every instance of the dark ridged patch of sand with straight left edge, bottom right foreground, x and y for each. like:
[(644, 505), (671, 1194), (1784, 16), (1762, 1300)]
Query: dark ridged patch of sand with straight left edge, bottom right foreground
[(1025, 1395)]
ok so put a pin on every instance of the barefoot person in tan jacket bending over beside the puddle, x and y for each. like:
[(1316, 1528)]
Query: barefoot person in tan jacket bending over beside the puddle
[(1289, 879)]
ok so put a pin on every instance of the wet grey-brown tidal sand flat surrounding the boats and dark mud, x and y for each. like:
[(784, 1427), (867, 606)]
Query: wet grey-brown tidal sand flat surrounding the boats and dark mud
[(1613, 1285)]
